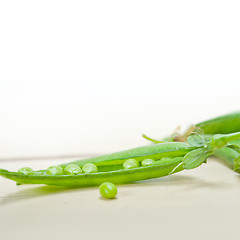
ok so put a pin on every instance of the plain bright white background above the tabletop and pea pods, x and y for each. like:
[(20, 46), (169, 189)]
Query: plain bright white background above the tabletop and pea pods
[(80, 77)]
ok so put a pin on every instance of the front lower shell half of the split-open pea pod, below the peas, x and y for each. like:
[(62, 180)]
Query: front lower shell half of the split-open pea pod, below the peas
[(158, 169)]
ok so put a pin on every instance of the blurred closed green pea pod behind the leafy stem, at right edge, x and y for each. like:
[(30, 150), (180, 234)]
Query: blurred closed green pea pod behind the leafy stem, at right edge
[(229, 123)]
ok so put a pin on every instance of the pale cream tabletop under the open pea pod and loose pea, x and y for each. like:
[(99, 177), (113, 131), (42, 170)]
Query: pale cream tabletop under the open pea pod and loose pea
[(197, 204)]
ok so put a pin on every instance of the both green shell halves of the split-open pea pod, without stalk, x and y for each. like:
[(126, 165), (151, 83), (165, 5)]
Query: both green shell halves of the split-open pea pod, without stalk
[(165, 156)]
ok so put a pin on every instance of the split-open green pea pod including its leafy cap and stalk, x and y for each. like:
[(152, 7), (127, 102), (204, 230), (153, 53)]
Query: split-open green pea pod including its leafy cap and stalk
[(179, 156)]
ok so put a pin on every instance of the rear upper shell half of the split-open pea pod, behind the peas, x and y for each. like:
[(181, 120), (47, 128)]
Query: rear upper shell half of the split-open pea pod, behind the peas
[(156, 151)]
